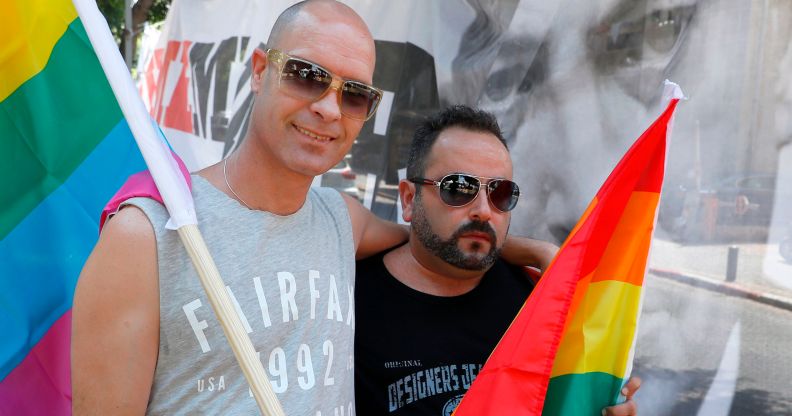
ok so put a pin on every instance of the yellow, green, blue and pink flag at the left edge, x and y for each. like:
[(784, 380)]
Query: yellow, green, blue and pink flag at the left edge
[(65, 149)]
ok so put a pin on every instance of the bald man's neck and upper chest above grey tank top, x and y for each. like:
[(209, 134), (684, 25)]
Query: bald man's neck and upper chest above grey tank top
[(254, 179)]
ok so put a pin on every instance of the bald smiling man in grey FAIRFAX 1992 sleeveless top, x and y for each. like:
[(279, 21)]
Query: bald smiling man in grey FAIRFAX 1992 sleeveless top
[(144, 336)]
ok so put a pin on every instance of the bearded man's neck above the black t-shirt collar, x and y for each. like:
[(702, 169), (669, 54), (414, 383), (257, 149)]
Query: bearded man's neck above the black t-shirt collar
[(424, 272)]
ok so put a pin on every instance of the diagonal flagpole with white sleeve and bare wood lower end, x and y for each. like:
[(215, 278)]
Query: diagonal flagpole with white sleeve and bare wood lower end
[(178, 201)]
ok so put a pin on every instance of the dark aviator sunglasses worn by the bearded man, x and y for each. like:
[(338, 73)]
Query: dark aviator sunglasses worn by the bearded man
[(460, 189)]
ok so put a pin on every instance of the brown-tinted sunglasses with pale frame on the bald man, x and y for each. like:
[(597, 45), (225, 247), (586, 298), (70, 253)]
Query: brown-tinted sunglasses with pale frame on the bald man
[(309, 81)]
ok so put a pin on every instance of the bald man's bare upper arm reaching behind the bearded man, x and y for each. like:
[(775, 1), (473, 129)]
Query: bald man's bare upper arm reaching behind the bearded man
[(372, 234)]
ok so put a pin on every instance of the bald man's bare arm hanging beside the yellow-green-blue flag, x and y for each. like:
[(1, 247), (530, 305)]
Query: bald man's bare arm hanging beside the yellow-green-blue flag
[(115, 320)]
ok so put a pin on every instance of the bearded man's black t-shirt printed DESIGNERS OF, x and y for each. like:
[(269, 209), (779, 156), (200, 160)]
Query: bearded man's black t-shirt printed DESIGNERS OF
[(416, 354)]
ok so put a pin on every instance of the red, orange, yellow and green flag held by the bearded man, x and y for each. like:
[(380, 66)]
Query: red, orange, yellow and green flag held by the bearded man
[(569, 350)]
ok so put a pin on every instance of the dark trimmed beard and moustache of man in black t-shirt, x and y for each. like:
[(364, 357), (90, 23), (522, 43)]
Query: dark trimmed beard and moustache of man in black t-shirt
[(448, 250)]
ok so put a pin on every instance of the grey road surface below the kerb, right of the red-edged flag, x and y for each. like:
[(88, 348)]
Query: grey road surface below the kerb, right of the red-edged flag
[(682, 345)]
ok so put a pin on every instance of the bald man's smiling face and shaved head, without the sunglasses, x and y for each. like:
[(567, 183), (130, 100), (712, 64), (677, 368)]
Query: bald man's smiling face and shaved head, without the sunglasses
[(285, 126)]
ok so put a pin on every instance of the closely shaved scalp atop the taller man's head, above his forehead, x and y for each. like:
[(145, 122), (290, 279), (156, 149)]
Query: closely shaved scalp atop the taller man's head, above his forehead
[(289, 20)]
